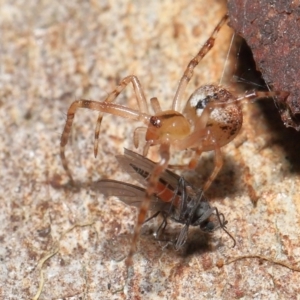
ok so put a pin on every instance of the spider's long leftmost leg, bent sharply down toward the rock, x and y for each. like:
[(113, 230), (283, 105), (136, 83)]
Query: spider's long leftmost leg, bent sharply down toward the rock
[(103, 107)]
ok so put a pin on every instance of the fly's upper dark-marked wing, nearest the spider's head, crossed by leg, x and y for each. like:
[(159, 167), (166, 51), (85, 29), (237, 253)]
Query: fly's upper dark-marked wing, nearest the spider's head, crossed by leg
[(140, 168)]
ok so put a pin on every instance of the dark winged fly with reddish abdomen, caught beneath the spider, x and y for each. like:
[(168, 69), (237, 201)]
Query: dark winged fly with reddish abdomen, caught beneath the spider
[(174, 197)]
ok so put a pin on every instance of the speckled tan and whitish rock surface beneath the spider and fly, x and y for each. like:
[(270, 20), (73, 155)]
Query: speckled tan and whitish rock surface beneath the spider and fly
[(61, 242)]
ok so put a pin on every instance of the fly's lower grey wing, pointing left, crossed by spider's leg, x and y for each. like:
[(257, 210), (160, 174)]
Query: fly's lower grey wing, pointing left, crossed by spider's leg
[(128, 193)]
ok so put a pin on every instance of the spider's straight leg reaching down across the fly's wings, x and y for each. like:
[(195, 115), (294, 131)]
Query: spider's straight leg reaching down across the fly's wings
[(164, 151)]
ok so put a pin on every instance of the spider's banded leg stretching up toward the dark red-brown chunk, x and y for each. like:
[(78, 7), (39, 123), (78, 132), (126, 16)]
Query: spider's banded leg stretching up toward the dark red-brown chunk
[(188, 73)]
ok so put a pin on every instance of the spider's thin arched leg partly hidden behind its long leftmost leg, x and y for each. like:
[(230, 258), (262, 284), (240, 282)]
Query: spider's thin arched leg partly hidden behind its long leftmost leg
[(141, 101)]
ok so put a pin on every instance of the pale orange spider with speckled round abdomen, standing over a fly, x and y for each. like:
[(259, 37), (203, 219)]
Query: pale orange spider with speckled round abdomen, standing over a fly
[(211, 118)]
